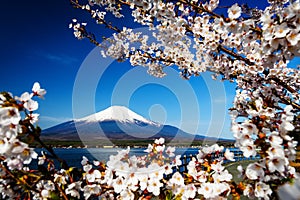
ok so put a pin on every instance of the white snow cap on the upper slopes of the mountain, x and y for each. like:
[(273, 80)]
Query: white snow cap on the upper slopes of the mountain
[(117, 113)]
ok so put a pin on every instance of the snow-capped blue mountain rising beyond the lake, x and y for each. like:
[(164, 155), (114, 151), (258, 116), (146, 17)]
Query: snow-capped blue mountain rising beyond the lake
[(115, 122)]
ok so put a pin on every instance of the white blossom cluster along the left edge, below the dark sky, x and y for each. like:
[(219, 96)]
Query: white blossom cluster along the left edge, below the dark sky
[(15, 153)]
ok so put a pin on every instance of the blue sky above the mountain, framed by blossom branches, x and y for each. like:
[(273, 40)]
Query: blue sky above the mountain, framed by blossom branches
[(37, 45)]
